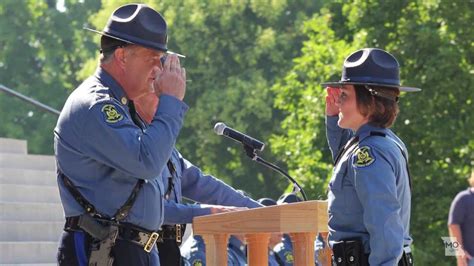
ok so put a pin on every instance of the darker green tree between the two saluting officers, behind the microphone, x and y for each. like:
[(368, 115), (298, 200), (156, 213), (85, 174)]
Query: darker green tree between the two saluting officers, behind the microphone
[(234, 51)]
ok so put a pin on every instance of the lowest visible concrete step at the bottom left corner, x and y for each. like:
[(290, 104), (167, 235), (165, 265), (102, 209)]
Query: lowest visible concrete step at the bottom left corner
[(28, 252)]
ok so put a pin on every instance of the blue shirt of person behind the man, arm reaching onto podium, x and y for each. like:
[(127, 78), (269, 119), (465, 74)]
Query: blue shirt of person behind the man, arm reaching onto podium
[(189, 182)]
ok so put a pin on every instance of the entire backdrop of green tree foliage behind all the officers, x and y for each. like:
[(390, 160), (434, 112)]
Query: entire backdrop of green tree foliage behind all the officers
[(257, 66)]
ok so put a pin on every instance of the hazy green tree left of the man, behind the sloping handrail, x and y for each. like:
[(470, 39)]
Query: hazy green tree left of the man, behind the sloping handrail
[(41, 49)]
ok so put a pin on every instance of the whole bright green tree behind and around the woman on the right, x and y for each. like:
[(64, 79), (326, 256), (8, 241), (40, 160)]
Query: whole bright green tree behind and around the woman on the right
[(433, 42)]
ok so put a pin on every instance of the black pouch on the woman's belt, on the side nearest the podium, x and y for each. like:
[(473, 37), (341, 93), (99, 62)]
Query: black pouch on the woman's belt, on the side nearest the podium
[(349, 252)]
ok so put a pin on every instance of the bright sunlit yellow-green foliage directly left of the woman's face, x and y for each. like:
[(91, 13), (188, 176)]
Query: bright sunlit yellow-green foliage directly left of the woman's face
[(302, 98)]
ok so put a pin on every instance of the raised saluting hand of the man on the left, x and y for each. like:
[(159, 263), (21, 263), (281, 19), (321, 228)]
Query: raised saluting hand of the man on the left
[(172, 79)]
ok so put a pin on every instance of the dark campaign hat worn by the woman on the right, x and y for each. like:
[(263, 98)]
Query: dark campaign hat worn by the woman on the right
[(371, 66)]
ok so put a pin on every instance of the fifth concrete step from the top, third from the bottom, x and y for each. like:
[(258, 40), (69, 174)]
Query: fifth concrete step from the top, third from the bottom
[(31, 212)]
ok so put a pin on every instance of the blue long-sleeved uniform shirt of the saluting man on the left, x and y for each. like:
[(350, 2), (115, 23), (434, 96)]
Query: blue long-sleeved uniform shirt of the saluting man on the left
[(104, 153)]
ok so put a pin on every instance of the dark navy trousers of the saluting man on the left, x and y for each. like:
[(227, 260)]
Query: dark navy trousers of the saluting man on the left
[(74, 250)]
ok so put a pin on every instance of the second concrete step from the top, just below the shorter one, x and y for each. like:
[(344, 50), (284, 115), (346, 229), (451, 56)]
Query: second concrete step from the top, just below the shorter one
[(24, 161)]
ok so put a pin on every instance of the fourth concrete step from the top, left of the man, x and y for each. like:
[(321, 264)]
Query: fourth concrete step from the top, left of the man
[(29, 193)]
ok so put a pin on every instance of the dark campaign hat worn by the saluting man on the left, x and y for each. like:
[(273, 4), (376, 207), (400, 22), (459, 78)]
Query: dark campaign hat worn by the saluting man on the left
[(137, 24)]
